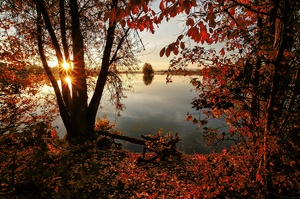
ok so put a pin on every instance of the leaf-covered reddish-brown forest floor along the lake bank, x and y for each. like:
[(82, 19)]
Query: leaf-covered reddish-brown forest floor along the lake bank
[(51, 168)]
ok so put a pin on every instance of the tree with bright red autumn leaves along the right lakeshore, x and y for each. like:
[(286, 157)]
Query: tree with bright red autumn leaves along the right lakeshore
[(253, 80)]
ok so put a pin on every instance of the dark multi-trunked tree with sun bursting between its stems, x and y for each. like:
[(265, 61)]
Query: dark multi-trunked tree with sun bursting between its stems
[(76, 34)]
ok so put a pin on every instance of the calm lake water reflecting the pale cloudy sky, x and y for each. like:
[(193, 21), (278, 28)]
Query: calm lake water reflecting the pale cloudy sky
[(150, 108)]
